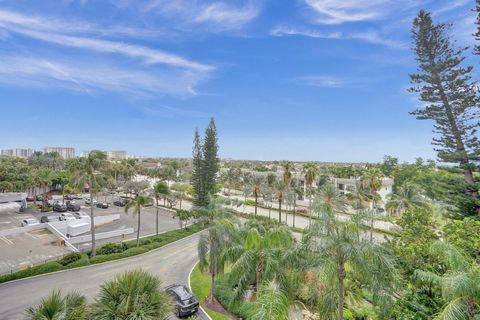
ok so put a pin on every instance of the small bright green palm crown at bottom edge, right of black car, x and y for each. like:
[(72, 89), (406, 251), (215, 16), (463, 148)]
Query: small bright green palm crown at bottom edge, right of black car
[(272, 303)]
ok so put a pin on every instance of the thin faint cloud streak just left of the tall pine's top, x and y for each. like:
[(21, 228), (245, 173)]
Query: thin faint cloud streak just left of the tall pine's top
[(371, 36)]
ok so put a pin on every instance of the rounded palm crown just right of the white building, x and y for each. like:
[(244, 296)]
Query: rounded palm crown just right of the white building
[(406, 196)]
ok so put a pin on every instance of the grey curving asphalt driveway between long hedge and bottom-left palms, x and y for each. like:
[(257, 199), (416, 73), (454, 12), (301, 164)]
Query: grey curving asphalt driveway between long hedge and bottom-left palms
[(172, 263)]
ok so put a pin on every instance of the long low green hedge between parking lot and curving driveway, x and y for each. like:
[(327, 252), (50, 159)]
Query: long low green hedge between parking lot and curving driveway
[(108, 252)]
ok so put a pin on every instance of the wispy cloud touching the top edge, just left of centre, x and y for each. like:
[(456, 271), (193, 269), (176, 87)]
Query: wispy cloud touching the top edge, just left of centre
[(214, 16)]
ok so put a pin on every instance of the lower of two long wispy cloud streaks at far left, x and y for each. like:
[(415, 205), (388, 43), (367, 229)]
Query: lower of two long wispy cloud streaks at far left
[(88, 78)]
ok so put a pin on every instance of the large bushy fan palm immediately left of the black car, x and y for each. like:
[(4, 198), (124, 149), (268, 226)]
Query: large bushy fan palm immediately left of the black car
[(132, 295)]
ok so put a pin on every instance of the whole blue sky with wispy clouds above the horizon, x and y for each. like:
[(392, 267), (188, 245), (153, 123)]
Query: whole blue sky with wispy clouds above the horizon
[(318, 80)]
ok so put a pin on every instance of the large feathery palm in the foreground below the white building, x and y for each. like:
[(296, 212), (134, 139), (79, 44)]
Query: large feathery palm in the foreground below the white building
[(342, 251)]
